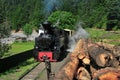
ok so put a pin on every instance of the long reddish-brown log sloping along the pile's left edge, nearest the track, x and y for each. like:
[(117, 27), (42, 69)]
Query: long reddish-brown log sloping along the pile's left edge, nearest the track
[(69, 70)]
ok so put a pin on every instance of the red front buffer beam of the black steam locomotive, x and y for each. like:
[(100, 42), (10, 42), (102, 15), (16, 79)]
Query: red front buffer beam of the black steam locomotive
[(42, 56)]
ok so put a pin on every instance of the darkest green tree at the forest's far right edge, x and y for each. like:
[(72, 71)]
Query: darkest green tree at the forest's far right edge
[(113, 16)]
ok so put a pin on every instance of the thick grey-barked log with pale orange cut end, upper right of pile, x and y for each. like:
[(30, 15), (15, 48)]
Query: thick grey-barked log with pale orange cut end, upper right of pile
[(99, 56)]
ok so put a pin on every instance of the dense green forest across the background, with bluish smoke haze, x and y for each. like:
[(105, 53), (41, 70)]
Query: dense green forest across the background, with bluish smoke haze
[(19, 14)]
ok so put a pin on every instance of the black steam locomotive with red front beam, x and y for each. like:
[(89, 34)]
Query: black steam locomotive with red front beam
[(50, 43)]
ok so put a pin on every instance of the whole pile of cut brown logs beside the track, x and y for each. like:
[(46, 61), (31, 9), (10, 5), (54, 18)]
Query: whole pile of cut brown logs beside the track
[(92, 61)]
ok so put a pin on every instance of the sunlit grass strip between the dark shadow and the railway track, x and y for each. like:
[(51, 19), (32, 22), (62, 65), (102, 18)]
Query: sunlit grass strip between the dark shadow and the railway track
[(17, 72)]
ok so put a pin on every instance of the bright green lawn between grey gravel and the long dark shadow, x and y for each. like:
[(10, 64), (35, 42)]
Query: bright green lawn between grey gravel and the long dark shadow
[(18, 47)]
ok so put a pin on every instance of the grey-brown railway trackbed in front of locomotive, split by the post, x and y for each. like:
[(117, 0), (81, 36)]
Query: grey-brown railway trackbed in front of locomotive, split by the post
[(39, 72)]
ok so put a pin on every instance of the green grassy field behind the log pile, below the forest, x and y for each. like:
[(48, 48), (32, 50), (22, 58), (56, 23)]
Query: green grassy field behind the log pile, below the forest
[(111, 37)]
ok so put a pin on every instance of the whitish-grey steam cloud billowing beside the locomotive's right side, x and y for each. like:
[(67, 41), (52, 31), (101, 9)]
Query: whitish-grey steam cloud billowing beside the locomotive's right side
[(79, 34)]
